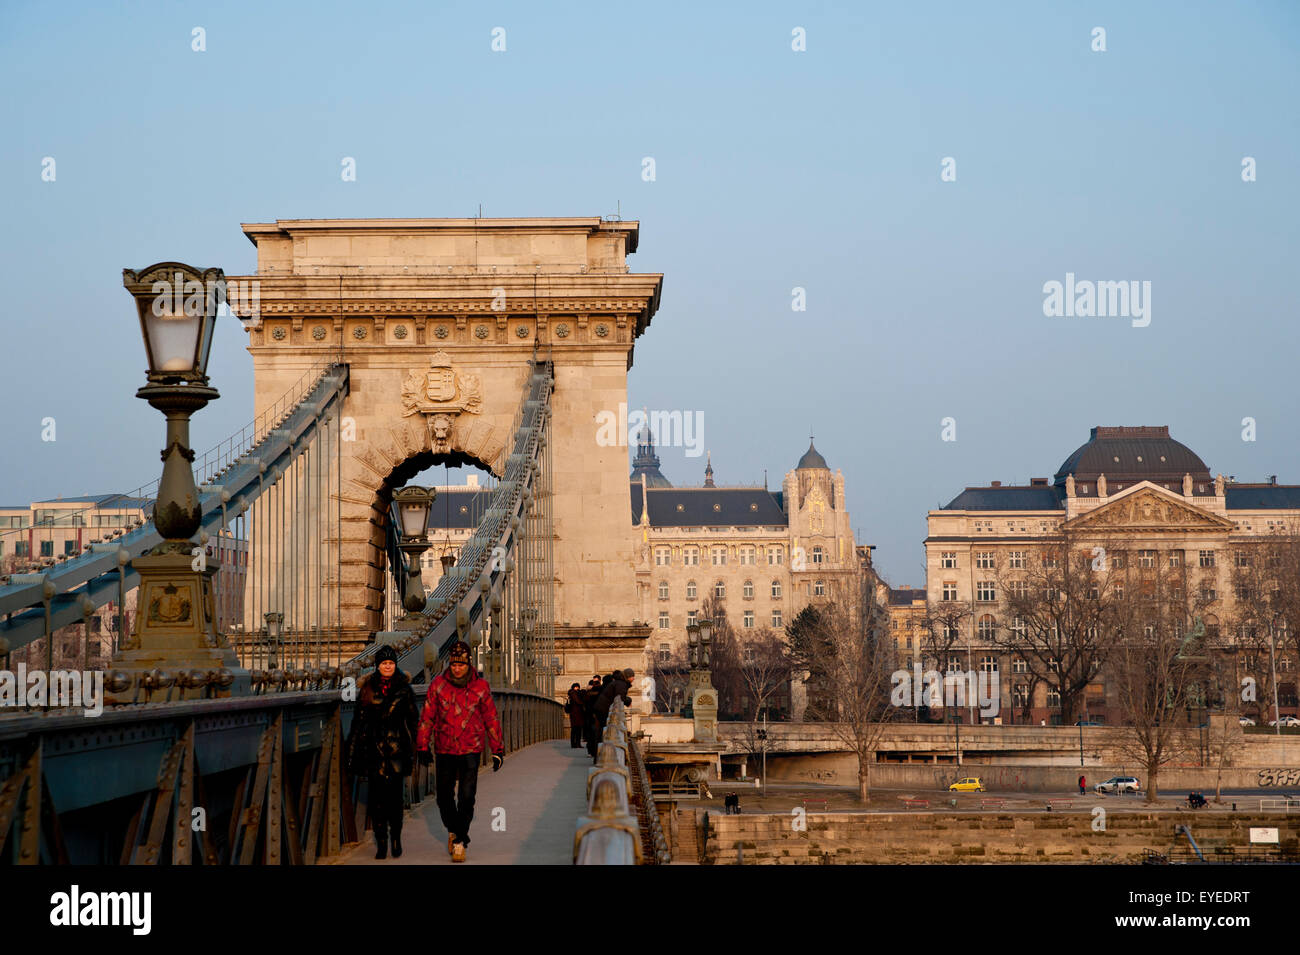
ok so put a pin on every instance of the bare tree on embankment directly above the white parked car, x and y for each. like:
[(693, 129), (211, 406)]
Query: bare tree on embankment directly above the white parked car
[(1160, 663)]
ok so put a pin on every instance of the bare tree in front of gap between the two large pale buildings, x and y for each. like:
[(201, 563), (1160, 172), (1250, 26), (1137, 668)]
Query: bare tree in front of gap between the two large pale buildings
[(848, 645)]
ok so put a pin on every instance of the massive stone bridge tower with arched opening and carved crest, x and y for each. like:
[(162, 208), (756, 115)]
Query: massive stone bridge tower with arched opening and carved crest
[(437, 322)]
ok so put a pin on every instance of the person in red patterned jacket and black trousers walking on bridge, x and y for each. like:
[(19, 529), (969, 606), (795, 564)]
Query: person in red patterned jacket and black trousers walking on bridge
[(458, 713)]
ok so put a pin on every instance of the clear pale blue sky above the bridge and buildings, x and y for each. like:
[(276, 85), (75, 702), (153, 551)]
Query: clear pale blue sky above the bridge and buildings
[(920, 171)]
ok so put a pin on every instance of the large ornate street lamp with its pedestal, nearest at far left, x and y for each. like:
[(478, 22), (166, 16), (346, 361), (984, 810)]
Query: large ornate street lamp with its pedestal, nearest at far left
[(176, 630)]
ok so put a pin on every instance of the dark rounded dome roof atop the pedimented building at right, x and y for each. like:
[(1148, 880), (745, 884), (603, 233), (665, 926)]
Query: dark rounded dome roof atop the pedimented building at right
[(1133, 454)]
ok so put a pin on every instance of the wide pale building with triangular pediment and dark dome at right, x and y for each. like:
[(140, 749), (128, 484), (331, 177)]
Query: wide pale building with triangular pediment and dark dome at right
[(1137, 485)]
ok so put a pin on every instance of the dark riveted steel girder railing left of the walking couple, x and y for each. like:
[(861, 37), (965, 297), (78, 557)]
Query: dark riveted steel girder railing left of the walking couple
[(267, 775)]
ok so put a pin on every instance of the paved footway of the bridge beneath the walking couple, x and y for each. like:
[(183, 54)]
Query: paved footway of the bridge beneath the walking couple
[(535, 800)]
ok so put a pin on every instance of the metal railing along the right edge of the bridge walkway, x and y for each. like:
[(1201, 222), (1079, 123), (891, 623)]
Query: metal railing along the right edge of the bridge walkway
[(622, 824)]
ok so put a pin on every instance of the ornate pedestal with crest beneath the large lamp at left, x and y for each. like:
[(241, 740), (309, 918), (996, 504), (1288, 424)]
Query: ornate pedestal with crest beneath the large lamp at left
[(176, 627)]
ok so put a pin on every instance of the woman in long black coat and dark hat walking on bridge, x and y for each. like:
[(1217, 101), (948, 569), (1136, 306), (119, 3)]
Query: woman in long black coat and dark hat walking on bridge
[(382, 746)]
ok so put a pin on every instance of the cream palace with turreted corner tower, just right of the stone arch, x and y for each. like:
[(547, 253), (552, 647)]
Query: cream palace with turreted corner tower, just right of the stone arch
[(761, 554)]
